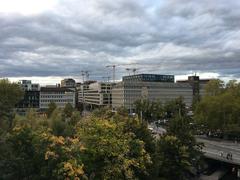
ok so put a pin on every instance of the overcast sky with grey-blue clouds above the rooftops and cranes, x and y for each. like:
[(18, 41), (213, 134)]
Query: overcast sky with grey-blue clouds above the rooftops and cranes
[(51, 39)]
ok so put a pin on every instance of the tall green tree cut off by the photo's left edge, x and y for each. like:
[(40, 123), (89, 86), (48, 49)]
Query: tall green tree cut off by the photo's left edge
[(10, 95)]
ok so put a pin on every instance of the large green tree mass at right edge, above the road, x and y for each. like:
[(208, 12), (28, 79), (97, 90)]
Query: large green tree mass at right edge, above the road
[(220, 109)]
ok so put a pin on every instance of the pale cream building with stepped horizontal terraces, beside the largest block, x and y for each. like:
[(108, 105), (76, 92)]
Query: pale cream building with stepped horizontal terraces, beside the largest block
[(96, 94)]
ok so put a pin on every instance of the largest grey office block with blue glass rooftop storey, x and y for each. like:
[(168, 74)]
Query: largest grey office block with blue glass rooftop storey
[(150, 86)]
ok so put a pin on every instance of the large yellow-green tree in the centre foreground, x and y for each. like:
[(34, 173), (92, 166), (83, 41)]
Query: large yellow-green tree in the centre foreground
[(110, 152)]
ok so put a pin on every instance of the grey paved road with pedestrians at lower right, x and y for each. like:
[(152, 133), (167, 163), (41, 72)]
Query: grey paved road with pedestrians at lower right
[(219, 149)]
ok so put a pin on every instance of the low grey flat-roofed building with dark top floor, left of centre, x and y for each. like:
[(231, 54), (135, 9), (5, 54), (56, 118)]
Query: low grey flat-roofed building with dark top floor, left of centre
[(59, 95)]
